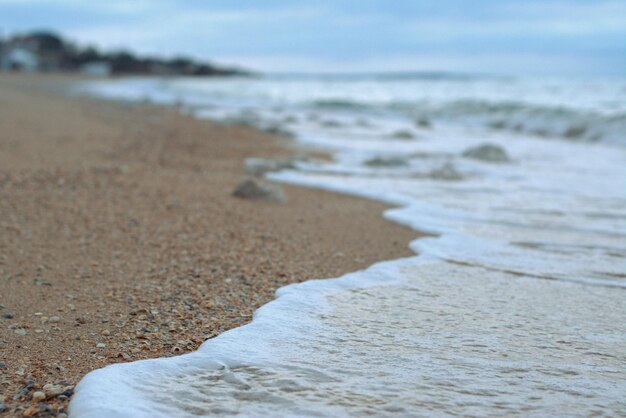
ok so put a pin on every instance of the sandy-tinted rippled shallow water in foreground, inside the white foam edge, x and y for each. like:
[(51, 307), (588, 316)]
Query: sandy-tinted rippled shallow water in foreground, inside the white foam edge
[(441, 343)]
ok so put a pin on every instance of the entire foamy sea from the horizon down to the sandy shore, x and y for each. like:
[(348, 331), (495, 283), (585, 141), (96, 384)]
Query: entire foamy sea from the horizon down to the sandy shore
[(515, 302)]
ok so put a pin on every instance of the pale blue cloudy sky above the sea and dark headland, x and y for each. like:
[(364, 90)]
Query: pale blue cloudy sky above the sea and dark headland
[(522, 37)]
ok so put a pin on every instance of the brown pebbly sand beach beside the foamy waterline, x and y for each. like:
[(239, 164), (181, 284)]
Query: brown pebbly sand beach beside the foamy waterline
[(120, 239)]
